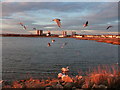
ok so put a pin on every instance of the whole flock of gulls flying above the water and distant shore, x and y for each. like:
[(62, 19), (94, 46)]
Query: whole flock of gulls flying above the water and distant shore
[(59, 25)]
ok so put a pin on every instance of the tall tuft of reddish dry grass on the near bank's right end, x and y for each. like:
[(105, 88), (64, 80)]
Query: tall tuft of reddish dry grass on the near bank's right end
[(104, 75)]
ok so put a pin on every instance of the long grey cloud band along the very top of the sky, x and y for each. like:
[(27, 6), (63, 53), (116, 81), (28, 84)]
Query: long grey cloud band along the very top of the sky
[(10, 7)]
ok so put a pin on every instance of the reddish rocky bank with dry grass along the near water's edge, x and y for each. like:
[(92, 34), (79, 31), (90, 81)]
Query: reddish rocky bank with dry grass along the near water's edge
[(102, 77)]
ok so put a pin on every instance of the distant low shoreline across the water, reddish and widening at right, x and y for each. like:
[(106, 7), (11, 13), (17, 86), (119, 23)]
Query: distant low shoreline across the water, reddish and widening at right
[(115, 41)]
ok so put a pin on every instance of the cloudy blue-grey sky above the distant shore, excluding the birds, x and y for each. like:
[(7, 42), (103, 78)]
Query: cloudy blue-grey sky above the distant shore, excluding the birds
[(73, 15)]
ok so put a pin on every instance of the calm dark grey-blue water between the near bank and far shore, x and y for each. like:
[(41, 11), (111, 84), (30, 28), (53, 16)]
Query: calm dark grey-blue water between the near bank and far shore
[(24, 57)]
